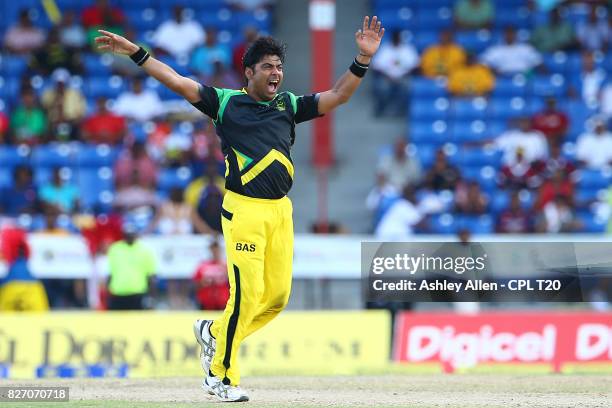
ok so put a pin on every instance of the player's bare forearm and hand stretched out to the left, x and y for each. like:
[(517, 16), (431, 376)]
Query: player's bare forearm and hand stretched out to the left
[(186, 87)]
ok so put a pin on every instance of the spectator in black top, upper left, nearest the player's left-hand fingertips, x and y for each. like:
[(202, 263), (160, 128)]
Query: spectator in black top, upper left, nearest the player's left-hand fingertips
[(54, 56)]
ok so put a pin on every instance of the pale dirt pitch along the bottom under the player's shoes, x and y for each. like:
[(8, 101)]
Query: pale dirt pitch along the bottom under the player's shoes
[(427, 390)]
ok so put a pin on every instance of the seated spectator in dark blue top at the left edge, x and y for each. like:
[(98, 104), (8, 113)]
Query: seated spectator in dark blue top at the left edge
[(21, 197)]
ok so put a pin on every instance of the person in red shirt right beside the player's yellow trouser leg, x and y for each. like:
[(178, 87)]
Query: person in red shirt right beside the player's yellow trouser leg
[(211, 282)]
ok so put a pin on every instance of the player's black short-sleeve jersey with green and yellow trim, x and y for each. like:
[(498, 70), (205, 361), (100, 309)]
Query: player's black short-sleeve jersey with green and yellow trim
[(256, 137)]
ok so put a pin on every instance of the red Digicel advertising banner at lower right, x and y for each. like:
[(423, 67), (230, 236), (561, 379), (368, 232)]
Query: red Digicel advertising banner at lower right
[(463, 341)]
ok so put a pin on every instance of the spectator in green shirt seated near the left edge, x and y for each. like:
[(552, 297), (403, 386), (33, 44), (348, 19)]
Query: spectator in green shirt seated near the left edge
[(28, 122)]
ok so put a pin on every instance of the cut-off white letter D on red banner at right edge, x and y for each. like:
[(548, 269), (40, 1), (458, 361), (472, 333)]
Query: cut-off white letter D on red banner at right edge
[(593, 341)]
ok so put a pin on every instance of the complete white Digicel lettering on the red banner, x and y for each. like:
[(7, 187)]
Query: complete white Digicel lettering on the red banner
[(466, 349)]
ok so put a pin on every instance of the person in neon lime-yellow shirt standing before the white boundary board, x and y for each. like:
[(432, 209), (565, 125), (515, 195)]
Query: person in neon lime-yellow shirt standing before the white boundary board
[(132, 272)]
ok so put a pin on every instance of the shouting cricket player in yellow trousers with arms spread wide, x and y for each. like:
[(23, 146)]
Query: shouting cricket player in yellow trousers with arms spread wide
[(256, 126)]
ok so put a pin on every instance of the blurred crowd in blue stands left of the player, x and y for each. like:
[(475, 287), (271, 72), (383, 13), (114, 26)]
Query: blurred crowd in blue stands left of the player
[(86, 138)]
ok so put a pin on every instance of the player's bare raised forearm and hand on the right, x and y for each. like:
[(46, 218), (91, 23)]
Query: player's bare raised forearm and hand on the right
[(368, 40)]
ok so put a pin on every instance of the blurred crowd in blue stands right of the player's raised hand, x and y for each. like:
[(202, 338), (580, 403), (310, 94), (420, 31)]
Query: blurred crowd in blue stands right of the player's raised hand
[(508, 110)]
